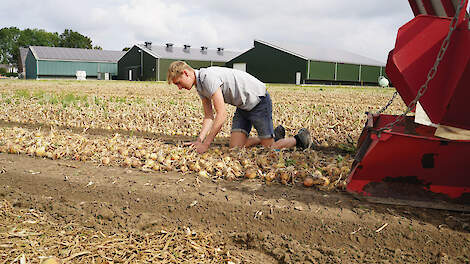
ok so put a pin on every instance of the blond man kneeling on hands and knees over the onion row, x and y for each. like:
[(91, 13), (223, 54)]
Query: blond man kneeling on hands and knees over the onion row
[(217, 86)]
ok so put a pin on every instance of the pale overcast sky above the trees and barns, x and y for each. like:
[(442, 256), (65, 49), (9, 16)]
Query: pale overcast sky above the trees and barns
[(365, 27)]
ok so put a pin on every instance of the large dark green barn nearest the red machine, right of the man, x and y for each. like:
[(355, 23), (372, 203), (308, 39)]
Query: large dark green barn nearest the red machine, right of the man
[(287, 63)]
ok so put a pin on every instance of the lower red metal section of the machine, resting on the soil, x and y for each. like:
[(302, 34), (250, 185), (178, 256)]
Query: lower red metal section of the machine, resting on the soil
[(413, 155)]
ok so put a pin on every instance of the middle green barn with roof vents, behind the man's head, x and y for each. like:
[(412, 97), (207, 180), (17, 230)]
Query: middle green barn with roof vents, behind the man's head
[(151, 62)]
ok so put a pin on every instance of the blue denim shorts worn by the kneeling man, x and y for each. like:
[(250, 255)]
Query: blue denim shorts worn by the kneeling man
[(260, 117)]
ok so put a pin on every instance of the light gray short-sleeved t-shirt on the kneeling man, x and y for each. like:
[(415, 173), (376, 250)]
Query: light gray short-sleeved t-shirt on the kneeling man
[(238, 87)]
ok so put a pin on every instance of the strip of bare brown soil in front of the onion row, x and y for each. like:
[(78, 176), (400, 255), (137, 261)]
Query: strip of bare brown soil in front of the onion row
[(257, 223)]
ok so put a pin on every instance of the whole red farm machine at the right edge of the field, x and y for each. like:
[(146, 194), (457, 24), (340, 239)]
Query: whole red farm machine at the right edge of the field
[(421, 164)]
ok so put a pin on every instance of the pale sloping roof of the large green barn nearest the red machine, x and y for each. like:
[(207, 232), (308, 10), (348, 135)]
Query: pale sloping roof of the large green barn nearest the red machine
[(318, 53)]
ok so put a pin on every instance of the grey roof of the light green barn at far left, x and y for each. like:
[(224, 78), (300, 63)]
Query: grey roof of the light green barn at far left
[(74, 54)]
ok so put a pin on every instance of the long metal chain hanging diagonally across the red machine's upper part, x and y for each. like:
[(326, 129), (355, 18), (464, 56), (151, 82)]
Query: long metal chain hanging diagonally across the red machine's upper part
[(432, 72)]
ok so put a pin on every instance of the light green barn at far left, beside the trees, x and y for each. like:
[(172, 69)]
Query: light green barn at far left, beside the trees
[(53, 62)]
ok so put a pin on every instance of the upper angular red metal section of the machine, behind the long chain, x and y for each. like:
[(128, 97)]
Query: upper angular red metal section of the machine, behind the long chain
[(417, 45)]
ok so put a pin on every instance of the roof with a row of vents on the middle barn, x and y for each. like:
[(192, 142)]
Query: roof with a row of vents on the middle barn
[(191, 53)]
